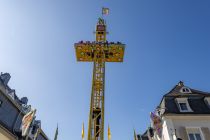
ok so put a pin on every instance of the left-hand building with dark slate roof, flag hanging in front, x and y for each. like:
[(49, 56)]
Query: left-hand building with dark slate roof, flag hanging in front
[(14, 113)]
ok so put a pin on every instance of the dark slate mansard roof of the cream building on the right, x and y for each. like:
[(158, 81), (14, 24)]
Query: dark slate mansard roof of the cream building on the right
[(195, 100)]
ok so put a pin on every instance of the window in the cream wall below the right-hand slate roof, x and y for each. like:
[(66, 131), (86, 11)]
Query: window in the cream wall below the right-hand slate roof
[(194, 134)]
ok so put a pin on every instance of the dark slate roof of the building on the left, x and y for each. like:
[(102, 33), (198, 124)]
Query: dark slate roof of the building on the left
[(12, 103)]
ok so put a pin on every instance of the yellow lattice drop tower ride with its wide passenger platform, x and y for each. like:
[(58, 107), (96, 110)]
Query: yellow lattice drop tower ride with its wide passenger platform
[(98, 52)]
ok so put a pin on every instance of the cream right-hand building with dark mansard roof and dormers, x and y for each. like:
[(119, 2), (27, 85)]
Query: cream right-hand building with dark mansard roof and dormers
[(183, 114)]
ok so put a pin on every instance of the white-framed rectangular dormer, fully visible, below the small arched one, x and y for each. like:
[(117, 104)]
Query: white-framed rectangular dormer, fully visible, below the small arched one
[(183, 105)]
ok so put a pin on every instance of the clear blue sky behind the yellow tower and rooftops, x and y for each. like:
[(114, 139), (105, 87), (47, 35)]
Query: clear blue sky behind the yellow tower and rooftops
[(166, 41)]
